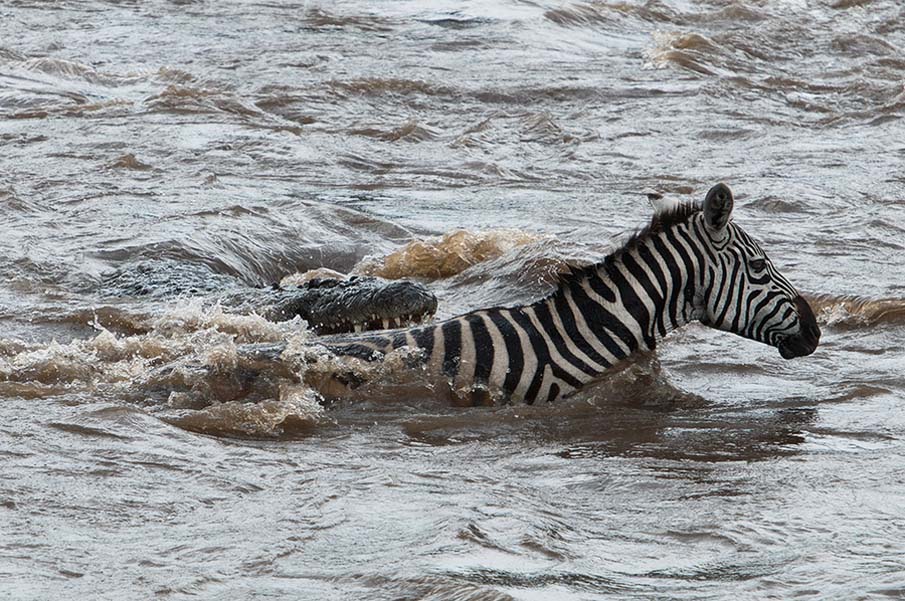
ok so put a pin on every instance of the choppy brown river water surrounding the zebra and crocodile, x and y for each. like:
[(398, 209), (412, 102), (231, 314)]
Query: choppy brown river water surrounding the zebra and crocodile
[(266, 139)]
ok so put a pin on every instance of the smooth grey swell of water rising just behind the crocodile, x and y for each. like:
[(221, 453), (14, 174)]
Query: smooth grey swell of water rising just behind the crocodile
[(272, 242)]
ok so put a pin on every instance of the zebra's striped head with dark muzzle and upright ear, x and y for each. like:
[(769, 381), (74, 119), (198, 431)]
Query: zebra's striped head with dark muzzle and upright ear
[(740, 290)]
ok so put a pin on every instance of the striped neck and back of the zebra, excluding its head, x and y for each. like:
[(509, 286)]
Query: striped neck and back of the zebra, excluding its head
[(597, 317)]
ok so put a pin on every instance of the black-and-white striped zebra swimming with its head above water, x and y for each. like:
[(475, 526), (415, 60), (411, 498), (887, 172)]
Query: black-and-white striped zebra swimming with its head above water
[(690, 263)]
